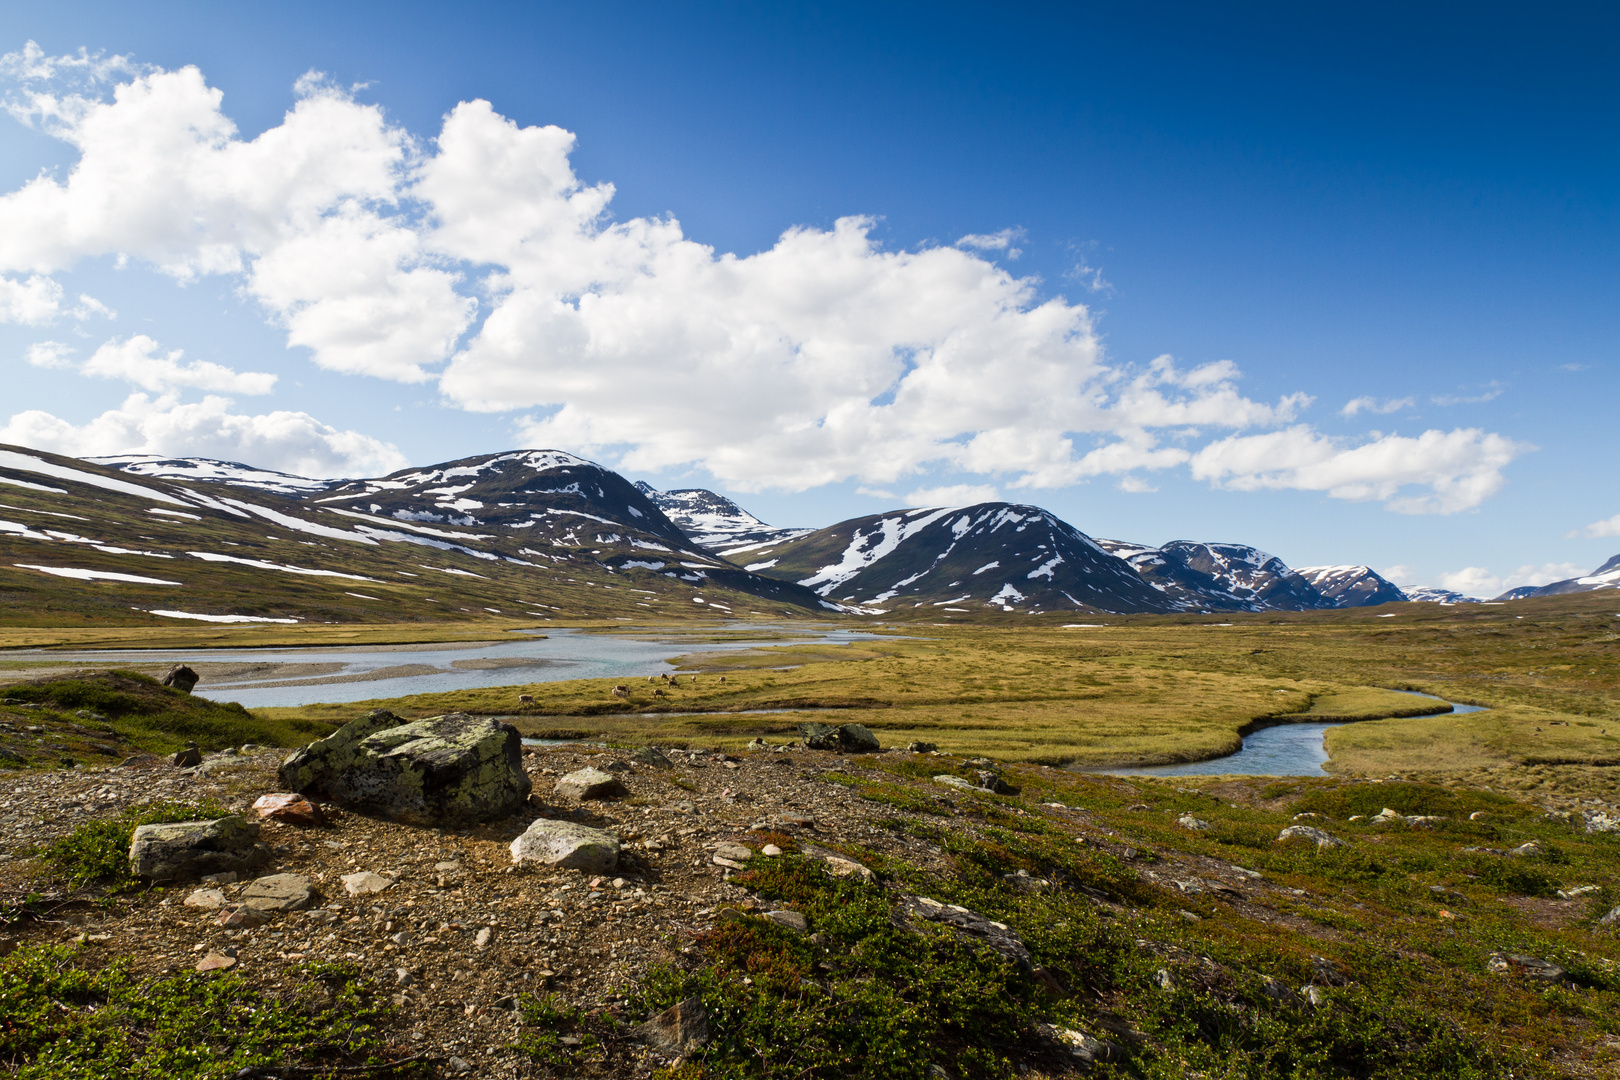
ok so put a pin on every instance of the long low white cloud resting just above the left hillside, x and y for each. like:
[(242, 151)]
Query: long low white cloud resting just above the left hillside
[(292, 443)]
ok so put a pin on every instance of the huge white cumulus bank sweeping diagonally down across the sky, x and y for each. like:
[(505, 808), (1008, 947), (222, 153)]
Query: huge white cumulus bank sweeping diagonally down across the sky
[(480, 261)]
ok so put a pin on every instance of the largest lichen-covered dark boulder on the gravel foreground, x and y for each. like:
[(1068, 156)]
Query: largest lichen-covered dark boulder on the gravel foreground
[(446, 770)]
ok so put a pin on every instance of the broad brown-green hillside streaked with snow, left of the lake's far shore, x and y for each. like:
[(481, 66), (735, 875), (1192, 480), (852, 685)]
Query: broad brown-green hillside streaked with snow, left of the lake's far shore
[(526, 537)]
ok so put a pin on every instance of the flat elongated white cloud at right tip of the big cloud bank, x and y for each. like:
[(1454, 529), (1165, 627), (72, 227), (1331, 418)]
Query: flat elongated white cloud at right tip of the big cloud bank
[(1459, 469)]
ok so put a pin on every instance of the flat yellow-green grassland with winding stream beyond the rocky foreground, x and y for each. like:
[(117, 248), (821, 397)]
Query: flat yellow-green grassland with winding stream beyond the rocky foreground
[(1145, 691)]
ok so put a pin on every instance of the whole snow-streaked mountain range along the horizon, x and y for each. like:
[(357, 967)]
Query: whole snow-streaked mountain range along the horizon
[(519, 521)]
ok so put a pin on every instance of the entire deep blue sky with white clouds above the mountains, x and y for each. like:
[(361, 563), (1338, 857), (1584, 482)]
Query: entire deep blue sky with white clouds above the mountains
[(1302, 208)]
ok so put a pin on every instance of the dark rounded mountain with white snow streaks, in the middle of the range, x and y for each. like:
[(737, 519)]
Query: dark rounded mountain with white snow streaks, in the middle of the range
[(957, 559)]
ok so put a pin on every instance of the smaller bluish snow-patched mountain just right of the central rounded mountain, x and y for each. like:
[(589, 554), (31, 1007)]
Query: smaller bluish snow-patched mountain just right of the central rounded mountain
[(1219, 577)]
